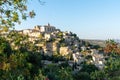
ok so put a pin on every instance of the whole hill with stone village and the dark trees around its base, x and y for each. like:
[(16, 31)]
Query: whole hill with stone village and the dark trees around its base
[(49, 53)]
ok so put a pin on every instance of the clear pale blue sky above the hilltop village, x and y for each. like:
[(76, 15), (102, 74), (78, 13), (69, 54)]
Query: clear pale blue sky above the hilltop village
[(89, 19)]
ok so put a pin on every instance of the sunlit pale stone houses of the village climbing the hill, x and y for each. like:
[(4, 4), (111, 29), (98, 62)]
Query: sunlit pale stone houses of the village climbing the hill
[(51, 41)]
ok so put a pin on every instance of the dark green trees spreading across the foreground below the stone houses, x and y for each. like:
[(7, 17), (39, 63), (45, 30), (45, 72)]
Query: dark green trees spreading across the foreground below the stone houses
[(25, 63)]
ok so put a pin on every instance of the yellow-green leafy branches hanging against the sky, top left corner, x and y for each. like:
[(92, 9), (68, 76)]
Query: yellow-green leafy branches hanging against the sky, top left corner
[(12, 11)]
